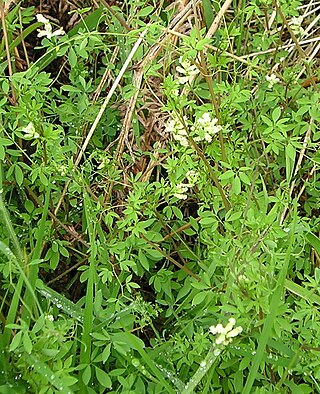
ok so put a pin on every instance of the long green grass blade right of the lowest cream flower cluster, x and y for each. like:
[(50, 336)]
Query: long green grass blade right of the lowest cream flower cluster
[(274, 307)]
